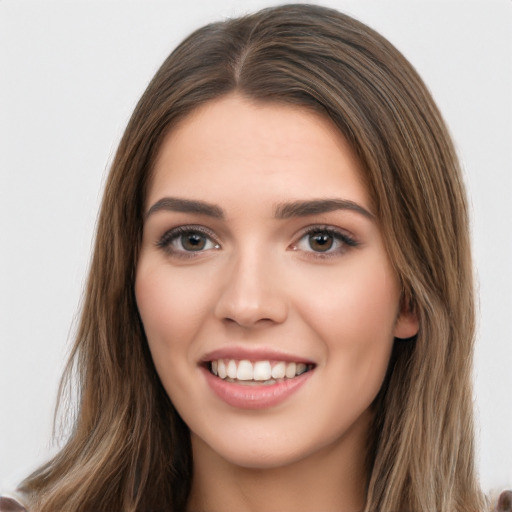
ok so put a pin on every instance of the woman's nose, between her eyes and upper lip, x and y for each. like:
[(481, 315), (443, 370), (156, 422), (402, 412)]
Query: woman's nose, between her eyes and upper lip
[(252, 293)]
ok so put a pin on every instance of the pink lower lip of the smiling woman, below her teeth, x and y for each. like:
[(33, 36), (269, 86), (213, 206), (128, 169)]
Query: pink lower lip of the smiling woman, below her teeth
[(255, 397)]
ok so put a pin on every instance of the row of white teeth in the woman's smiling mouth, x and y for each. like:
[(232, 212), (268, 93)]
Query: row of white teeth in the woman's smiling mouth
[(260, 371)]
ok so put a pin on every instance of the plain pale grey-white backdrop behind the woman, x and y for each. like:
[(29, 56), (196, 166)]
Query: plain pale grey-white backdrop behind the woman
[(70, 75)]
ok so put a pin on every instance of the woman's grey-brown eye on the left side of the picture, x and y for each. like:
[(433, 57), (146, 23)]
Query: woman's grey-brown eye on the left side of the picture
[(184, 241)]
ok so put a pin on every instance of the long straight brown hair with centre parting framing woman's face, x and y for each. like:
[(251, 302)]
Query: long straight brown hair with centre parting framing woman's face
[(129, 450)]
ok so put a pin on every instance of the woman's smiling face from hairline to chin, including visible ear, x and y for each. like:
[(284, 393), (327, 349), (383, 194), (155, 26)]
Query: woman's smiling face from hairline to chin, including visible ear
[(266, 293)]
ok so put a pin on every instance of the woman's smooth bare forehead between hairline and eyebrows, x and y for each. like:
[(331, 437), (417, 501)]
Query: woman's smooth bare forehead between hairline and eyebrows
[(234, 146)]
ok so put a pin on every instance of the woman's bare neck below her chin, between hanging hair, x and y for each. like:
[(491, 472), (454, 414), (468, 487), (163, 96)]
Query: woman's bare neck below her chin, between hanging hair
[(330, 480)]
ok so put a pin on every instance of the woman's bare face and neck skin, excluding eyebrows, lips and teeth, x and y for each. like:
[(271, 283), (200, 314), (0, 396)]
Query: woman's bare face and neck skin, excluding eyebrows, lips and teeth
[(260, 281)]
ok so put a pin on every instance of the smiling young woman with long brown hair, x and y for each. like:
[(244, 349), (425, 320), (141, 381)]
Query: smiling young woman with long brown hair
[(285, 207)]
